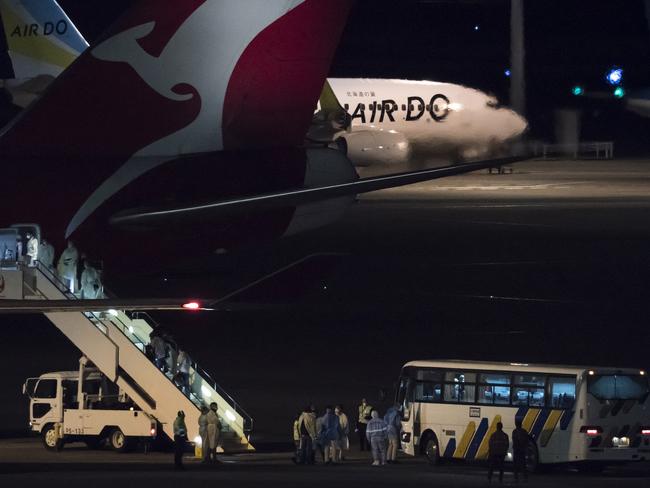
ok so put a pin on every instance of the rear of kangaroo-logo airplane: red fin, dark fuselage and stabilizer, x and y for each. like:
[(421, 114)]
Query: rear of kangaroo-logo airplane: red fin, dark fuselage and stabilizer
[(154, 144)]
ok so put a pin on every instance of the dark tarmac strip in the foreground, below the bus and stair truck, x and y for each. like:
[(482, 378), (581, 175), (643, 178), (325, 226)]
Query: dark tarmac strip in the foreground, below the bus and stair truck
[(25, 463)]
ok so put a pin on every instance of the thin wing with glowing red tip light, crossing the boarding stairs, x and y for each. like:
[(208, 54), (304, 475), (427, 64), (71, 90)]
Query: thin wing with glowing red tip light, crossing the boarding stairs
[(102, 305)]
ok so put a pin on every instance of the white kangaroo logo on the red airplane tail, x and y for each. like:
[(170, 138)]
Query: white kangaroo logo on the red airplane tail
[(203, 54)]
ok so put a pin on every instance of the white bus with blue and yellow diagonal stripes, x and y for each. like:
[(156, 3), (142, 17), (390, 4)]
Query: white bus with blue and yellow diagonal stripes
[(587, 416)]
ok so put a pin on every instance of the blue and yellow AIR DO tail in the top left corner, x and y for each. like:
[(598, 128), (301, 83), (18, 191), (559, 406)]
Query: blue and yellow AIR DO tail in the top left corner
[(39, 40)]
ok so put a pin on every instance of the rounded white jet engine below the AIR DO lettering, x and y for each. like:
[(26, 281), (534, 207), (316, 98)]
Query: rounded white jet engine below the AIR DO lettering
[(369, 148)]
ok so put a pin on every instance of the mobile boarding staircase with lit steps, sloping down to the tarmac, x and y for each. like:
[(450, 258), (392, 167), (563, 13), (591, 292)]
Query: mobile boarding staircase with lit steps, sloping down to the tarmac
[(115, 342)]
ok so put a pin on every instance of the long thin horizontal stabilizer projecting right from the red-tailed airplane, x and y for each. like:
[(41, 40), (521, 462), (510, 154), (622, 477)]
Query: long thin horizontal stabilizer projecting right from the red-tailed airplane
[(298, 196)]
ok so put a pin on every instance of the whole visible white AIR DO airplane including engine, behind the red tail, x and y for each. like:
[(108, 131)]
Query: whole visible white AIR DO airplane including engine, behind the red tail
[(378, 122)]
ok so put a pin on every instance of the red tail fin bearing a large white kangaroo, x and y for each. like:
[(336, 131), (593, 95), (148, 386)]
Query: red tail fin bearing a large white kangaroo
[(189, 76)]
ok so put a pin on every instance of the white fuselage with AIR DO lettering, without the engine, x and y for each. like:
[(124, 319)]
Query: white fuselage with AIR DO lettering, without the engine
[(433, 117)]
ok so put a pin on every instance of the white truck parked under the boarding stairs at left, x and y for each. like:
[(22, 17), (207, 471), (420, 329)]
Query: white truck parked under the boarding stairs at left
[(83, 406)]
